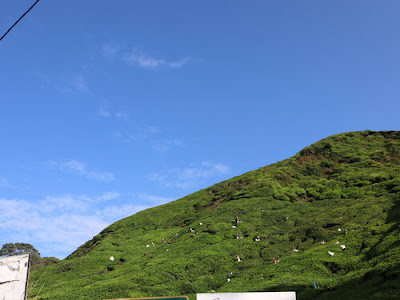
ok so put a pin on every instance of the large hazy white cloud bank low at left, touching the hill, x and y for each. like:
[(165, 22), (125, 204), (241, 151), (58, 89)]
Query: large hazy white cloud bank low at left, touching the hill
[(59, 224)]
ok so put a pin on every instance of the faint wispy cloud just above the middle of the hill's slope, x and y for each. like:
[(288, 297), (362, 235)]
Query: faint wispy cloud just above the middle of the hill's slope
[(190, 177)]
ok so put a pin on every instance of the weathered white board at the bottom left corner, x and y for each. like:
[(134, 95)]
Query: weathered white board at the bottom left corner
[(13, 277)]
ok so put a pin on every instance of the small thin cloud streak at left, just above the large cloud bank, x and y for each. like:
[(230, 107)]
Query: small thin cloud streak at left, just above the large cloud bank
[(80, 168)]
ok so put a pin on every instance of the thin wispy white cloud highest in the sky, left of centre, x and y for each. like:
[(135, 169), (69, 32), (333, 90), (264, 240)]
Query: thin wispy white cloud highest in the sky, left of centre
[(151, 63)]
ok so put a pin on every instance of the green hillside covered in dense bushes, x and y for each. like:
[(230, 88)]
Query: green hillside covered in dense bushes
[(342, 190)]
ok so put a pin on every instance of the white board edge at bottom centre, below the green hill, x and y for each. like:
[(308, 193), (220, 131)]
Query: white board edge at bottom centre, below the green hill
[(249, 296)]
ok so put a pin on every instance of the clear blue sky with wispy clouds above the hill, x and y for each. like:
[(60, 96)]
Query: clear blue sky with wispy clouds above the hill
[(111, 107)]
